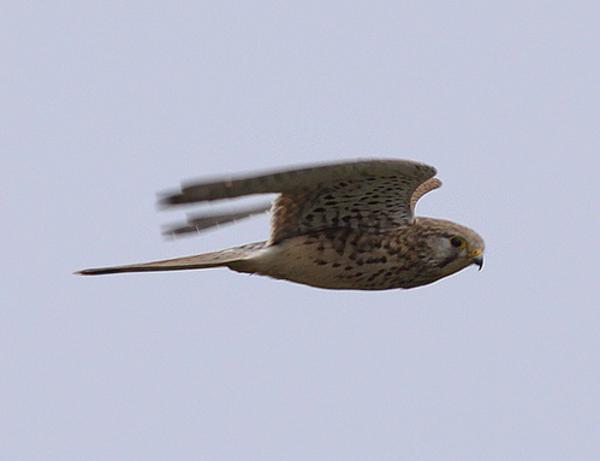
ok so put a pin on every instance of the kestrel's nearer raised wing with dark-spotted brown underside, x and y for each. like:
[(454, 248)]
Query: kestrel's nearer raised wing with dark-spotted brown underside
[(366, 195)]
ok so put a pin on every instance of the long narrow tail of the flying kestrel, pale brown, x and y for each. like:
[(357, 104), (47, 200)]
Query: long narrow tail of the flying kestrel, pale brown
[(232, 257)]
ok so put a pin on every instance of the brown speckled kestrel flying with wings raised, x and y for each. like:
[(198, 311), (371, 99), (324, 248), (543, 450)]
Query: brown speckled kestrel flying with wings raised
[(347, 225)]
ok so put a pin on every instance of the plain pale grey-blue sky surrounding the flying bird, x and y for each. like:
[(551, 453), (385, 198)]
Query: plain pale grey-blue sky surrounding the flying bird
[(106, 103)]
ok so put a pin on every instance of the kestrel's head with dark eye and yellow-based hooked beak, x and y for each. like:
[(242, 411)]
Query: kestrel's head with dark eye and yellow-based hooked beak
[(452, 247)]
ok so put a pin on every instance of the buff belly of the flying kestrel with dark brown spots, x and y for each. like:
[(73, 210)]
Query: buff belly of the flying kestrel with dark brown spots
[(323, 263)]
